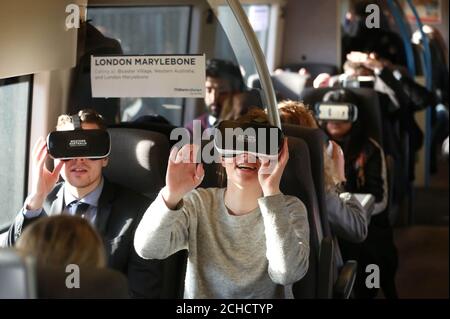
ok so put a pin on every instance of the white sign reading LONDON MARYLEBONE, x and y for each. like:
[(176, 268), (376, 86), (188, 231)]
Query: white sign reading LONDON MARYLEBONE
[(148, 76)]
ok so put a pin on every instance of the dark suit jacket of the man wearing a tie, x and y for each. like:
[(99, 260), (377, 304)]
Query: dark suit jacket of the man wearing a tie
[(119, 213)]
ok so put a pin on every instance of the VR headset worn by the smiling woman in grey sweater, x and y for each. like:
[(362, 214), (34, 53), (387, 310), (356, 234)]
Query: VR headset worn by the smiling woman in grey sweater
[(261, 140)]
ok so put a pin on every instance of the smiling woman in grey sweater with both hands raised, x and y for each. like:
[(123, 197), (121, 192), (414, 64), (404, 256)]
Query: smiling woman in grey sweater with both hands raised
[(247, 240)]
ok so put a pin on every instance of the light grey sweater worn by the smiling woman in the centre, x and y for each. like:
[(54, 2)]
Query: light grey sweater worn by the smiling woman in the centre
[(257, 255)]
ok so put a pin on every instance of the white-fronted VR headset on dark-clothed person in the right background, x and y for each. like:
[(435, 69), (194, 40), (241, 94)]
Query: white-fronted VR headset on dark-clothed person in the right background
[(334, 111)]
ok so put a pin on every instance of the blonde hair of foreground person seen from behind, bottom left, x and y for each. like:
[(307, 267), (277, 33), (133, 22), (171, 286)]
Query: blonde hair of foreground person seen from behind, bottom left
[(62, 240)]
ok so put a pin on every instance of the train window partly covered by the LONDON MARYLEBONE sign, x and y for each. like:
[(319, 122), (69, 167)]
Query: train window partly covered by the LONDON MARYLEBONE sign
[(146, 30)]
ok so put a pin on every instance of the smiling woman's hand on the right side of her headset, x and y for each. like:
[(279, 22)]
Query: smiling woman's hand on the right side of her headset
[(270, 173)]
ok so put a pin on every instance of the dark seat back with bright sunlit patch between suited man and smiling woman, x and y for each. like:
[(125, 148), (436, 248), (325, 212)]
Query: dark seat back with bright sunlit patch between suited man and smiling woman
[(138, 160)]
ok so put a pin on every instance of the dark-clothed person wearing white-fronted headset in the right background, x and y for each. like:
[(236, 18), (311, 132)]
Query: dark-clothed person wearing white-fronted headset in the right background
[(365, 171)]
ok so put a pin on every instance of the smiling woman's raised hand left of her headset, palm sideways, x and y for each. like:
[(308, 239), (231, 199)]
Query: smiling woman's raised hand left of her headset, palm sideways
[(183, 174)]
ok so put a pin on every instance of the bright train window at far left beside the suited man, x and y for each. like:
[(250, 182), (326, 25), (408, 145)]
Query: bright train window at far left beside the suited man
[(15, 101)]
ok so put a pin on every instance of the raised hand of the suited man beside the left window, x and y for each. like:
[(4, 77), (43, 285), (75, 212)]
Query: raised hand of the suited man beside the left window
[(43, 180)]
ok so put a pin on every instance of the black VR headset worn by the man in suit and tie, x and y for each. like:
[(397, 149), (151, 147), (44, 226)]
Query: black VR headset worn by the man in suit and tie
[(78, 143)]
